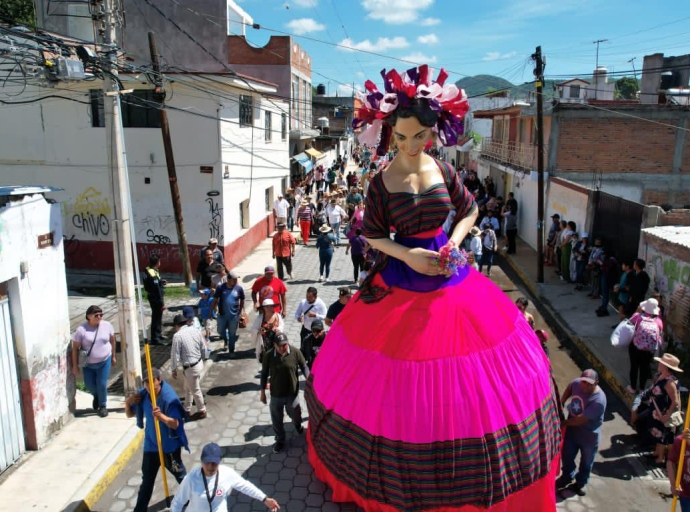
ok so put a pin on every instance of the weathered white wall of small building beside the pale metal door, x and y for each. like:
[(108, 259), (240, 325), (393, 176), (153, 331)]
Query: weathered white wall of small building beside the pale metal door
[(39, 311)]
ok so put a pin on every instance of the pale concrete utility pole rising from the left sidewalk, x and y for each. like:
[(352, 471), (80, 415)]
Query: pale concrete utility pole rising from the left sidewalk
[(122, 235)]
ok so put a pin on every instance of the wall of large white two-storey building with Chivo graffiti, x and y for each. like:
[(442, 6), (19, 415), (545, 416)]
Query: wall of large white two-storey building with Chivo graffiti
[(53, 143)]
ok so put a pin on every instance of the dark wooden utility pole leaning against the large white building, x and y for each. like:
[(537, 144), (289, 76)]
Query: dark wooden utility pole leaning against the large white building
[(170, 161)]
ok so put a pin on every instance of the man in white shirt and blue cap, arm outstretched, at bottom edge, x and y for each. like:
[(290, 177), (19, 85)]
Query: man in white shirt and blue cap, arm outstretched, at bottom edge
[(207, 487)]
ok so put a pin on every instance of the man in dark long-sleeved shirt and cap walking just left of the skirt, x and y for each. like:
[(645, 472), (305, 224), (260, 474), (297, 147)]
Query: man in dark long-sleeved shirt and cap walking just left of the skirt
[(281, 365)]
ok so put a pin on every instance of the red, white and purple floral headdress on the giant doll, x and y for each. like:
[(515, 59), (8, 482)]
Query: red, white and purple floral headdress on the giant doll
[(449, 102)]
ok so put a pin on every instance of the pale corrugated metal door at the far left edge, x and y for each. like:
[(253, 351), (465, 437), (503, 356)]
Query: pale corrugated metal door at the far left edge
[(11, 425)]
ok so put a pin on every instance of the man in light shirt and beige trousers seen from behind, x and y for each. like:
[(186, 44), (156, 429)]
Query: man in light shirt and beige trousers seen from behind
[(187, 351)]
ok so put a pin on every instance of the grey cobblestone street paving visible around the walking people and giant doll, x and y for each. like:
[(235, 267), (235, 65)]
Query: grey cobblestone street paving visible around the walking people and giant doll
[(241, 425)]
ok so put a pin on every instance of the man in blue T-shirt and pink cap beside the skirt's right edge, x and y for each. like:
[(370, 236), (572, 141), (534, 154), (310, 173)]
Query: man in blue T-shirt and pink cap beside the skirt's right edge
[(586, 407)]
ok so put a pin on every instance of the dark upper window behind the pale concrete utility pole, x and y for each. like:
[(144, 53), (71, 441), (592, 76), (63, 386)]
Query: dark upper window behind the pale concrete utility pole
[(139, 109)]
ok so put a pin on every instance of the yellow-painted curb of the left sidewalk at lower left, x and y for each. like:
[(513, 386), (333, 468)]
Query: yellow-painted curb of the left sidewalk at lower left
[(96, 490)]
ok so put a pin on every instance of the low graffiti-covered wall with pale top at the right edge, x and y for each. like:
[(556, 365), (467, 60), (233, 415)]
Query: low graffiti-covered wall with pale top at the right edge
[(668, 266)]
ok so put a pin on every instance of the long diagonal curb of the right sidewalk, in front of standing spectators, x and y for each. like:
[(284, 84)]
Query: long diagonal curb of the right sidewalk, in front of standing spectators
[(555, 319)]
